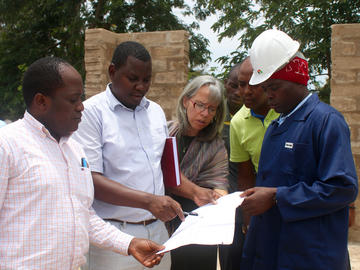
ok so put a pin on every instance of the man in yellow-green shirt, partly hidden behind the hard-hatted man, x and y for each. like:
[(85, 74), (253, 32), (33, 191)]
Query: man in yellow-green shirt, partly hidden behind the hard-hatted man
[(247, 129)]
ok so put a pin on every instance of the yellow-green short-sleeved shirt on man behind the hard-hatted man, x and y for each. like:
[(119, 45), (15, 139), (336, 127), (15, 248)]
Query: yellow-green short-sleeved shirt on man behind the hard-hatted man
[(246, 135)]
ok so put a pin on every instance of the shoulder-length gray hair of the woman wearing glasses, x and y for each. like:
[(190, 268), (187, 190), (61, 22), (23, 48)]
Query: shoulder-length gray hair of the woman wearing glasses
[(216, 95)]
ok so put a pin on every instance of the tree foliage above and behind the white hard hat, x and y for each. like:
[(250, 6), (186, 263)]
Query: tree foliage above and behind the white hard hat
[(308, 21)]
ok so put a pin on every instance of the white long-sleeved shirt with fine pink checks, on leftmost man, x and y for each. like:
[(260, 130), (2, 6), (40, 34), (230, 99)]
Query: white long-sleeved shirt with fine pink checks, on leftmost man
[(46, 219)]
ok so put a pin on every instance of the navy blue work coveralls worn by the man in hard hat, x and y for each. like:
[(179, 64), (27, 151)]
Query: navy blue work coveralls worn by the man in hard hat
[(308, 158)]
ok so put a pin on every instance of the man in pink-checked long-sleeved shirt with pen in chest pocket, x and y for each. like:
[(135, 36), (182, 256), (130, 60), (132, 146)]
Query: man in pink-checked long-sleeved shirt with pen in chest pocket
[(46, 189)]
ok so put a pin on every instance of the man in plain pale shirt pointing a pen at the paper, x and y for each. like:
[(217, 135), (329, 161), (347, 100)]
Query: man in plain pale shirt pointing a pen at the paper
[(123, 134)]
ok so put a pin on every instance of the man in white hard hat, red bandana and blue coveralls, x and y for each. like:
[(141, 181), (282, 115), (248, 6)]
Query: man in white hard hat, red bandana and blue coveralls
[(306, 177)]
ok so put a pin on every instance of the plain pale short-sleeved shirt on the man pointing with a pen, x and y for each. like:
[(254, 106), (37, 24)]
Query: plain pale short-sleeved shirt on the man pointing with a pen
[(126, 146)]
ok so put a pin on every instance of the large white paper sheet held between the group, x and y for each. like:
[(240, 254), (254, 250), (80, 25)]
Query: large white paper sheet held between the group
[(215, 224)]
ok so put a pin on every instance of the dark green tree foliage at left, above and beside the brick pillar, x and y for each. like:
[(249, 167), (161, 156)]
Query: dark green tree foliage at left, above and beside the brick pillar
[(32, 29)]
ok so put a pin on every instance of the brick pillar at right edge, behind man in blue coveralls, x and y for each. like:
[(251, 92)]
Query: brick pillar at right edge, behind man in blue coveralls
[(345, 92)]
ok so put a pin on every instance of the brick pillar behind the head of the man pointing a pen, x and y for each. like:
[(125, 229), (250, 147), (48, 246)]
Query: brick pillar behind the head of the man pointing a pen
[(169, 51)]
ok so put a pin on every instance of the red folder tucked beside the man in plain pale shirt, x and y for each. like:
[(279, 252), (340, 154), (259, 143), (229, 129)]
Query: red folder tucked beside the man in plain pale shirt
[(170, 163)]
